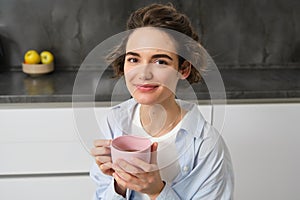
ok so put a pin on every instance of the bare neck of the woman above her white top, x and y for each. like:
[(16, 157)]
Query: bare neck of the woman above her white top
[(159, 119)]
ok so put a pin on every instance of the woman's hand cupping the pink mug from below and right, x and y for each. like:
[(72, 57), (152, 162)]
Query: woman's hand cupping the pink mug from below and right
[(145, 178)]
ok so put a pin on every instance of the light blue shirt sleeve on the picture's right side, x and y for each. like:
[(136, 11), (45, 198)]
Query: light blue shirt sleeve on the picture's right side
[(210, 174)]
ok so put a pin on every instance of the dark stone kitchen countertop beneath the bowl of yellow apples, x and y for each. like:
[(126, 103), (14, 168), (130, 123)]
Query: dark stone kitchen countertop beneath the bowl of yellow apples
[(240, 84)]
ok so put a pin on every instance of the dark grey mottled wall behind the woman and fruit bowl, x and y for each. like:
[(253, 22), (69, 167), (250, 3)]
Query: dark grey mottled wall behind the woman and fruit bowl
[(237, 33)]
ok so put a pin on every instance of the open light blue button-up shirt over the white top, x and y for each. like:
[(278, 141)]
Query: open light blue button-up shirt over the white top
[(206, 169)]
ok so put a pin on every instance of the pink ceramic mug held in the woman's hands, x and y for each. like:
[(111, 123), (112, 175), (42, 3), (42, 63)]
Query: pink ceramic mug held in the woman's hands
[(128, 146)]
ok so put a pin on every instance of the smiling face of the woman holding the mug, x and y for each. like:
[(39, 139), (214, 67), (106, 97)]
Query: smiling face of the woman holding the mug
[(151, 66)]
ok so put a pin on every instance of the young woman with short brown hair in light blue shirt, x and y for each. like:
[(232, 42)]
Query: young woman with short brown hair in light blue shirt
[(190, 159)]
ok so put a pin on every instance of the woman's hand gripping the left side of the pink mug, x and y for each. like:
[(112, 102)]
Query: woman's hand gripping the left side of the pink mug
[(102, 155)]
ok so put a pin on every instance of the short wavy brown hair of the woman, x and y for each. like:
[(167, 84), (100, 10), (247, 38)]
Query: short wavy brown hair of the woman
[(161, 16)]
